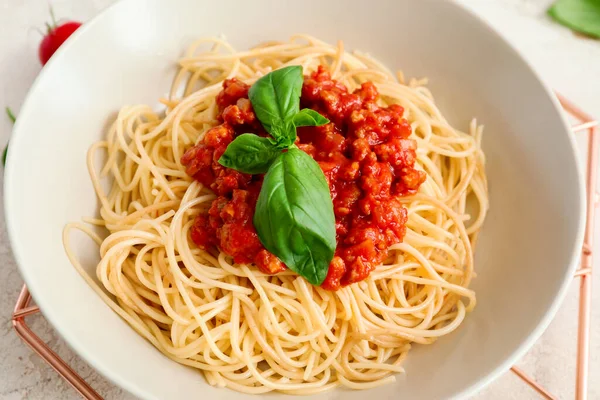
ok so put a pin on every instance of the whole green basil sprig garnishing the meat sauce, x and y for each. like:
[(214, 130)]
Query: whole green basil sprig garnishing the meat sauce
[(294, 213)]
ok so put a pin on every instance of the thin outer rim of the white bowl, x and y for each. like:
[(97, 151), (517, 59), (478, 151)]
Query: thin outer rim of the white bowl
[(104, 370)]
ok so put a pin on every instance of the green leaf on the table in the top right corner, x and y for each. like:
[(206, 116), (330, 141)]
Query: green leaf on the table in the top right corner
[(580, 15)]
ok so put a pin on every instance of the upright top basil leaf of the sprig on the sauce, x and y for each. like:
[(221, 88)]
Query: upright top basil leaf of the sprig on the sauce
[(275, 99)]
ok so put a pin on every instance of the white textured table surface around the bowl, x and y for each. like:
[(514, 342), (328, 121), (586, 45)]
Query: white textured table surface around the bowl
[(568, 63)]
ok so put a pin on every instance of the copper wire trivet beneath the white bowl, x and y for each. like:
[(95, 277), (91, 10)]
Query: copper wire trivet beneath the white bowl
[(584, 273)]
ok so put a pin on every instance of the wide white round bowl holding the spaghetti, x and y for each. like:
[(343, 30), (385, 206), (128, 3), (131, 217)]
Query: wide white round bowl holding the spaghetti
[(528, 248)]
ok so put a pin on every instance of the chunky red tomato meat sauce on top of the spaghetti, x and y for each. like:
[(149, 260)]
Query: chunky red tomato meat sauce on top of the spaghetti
[(365, 154)]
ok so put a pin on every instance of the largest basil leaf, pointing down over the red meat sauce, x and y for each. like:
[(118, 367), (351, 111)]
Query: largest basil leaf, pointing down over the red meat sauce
[(294, 215)]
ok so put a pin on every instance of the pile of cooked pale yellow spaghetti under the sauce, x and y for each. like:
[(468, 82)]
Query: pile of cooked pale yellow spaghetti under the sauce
[(254, 332)]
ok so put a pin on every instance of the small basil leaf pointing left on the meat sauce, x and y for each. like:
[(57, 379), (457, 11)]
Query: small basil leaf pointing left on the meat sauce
[(250, 154)]
